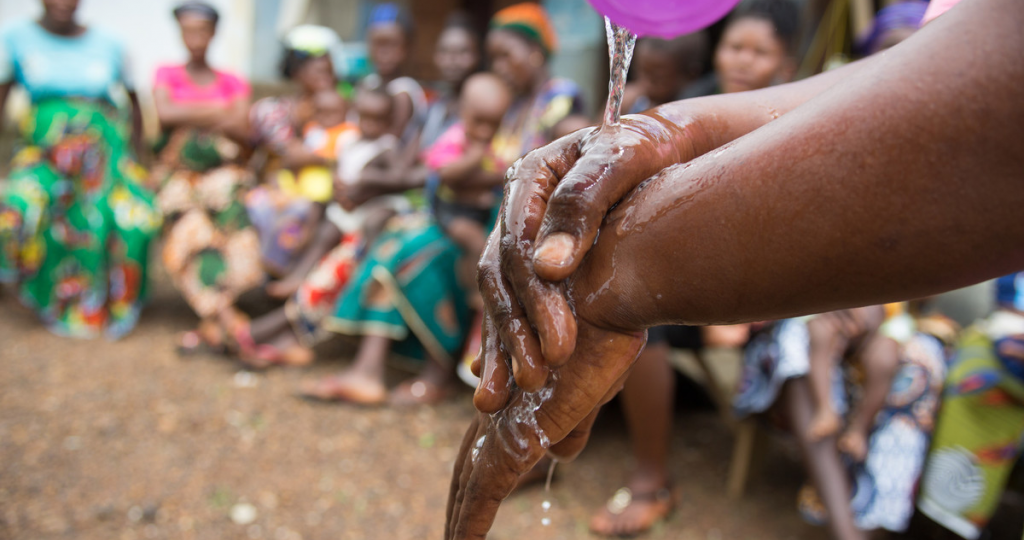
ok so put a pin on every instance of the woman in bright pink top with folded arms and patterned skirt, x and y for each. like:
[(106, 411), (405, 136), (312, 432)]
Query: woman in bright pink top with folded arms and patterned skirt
[(211, 251)]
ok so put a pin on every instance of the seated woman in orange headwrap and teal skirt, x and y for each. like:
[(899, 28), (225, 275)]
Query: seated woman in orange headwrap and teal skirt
[(406, 297)]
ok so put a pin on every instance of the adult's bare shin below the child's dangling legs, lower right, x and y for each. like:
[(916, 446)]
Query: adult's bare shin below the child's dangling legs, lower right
[(822, 460)]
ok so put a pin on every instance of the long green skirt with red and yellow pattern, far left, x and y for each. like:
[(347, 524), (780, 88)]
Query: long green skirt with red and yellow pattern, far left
[(75, 225)]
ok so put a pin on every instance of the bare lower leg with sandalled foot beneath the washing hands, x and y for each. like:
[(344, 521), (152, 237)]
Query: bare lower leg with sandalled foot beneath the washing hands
[(648, 401)]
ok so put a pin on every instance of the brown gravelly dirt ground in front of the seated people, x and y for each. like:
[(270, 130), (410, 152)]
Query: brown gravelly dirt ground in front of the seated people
[(127, 441)]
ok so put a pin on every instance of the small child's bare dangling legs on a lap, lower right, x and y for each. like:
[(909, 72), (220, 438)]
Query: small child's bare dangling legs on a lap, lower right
[(872, 336)]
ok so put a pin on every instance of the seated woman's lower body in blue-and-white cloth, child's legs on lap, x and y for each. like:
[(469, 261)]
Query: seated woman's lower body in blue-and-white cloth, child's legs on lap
[(889, 386)]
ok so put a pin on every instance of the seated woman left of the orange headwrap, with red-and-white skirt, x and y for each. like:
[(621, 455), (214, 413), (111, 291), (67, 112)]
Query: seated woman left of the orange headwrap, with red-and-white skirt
[(287, 336)]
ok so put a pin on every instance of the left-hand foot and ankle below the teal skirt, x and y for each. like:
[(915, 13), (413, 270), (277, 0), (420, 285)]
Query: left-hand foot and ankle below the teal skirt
[(363, 383)]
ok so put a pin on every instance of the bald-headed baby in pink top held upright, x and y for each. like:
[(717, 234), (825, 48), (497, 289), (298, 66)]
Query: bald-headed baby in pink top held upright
[(468, 177)]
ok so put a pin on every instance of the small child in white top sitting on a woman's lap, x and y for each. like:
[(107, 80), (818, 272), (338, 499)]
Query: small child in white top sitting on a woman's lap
[(360, 153)]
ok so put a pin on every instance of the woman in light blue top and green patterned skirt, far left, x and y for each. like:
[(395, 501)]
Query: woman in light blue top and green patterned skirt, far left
[(75, 223)]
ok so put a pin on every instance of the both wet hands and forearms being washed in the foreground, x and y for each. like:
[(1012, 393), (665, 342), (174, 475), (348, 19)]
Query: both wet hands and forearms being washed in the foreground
[(902, 182)]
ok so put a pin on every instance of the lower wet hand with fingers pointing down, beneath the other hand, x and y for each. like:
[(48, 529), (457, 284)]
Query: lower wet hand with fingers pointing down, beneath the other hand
[(556, 420)]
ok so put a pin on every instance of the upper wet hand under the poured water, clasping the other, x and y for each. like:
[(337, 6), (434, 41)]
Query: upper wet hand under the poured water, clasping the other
[(556, 201)]
